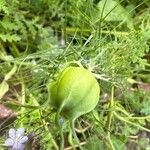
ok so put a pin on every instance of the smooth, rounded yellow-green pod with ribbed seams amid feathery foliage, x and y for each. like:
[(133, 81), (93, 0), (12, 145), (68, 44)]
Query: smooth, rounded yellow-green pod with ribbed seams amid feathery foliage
[(75, 93)]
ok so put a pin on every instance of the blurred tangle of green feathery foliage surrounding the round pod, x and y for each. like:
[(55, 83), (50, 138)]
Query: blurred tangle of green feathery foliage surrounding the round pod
[(109, 37)]
